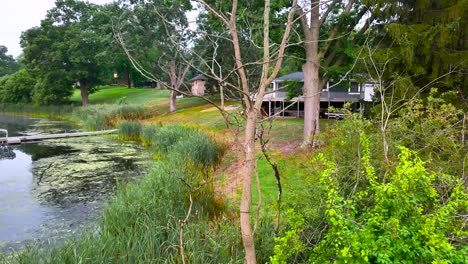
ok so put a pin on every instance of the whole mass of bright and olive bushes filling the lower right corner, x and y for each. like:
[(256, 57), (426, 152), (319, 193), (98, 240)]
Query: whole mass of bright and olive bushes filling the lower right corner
[(359, 208)]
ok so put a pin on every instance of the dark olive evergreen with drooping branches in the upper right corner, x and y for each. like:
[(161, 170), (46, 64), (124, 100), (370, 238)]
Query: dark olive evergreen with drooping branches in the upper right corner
[(428, 43)]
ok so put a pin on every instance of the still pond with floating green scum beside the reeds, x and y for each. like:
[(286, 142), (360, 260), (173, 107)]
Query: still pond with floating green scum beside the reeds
[(55, 188)]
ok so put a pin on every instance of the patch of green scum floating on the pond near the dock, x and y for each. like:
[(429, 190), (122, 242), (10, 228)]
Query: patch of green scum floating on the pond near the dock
[(91, 170)]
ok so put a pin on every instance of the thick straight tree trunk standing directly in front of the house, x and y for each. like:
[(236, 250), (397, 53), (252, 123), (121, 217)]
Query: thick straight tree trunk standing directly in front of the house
[(312, 88)]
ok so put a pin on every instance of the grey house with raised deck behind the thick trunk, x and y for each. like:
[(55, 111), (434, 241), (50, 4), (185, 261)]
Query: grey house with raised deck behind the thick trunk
[(276, 102)]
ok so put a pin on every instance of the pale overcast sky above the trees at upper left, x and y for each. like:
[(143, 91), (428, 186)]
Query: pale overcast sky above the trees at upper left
[(17, 16)]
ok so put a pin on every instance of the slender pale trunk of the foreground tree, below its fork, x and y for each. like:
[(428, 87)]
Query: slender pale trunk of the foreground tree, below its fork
[(247, 172)]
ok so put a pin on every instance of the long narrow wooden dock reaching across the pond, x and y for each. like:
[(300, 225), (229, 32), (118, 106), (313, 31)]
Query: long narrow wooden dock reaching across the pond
[(35, 138)]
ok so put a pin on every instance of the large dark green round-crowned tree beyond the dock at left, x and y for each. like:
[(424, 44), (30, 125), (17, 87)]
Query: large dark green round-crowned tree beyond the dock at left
[(68, 43)]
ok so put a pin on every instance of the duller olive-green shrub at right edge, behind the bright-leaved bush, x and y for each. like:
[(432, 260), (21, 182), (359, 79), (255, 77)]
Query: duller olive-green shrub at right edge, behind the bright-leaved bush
[(434, 128)]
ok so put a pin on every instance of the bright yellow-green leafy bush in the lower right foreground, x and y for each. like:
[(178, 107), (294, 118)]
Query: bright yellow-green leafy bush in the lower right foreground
[(399, 219)]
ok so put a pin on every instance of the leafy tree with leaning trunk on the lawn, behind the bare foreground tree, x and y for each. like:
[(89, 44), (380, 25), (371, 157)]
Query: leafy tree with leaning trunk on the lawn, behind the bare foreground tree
[(155, 38)]
